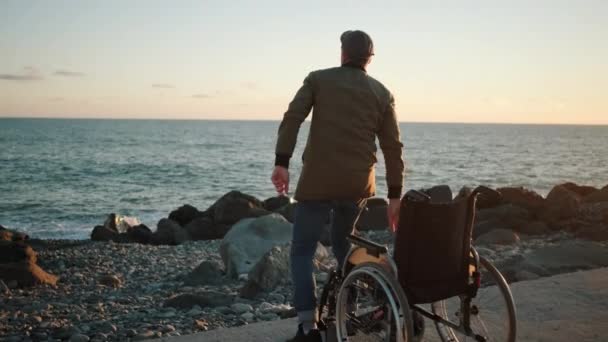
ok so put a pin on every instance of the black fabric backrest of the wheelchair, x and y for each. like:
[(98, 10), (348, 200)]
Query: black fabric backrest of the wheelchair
[(432, 246)]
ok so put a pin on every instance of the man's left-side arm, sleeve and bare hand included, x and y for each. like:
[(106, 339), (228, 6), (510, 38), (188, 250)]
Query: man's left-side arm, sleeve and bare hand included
[(298, 110)]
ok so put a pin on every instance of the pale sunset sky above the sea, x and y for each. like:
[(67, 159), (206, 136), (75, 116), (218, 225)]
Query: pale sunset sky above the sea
[(541, 61)]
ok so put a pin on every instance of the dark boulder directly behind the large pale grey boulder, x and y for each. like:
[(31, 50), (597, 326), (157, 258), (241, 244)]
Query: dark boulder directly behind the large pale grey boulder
[(235, 206)]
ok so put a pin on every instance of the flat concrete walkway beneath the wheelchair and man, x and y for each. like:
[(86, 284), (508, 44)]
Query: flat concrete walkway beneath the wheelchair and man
[(567, 307)]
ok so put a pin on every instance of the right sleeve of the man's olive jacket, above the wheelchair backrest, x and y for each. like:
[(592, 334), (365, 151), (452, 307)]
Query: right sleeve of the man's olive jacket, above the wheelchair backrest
[(392, 148)]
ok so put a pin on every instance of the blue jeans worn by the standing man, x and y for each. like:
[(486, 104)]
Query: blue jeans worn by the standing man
[(310, 219)]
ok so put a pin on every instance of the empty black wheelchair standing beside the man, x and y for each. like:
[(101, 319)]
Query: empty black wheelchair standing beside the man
[(434, 272)]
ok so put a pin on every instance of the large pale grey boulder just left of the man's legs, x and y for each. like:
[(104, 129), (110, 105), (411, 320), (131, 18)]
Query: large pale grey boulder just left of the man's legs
[(248, 241)]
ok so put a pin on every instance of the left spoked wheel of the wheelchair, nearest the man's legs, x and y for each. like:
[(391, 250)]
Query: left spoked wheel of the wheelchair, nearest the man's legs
[(371, 306)]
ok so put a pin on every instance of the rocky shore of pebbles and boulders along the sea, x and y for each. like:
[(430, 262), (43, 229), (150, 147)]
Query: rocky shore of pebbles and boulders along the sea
[(228, 265)]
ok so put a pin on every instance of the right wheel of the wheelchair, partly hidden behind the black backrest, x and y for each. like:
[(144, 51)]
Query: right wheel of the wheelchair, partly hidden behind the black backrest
[(492, 311)]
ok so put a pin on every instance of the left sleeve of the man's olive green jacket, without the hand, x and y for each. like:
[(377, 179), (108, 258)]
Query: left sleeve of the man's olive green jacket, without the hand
[(298, 110)]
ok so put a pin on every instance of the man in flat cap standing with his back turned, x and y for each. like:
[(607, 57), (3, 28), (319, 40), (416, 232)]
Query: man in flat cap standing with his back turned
[(350, 109)]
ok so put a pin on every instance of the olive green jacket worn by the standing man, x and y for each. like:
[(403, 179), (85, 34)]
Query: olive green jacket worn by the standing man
[(350, 109)]
